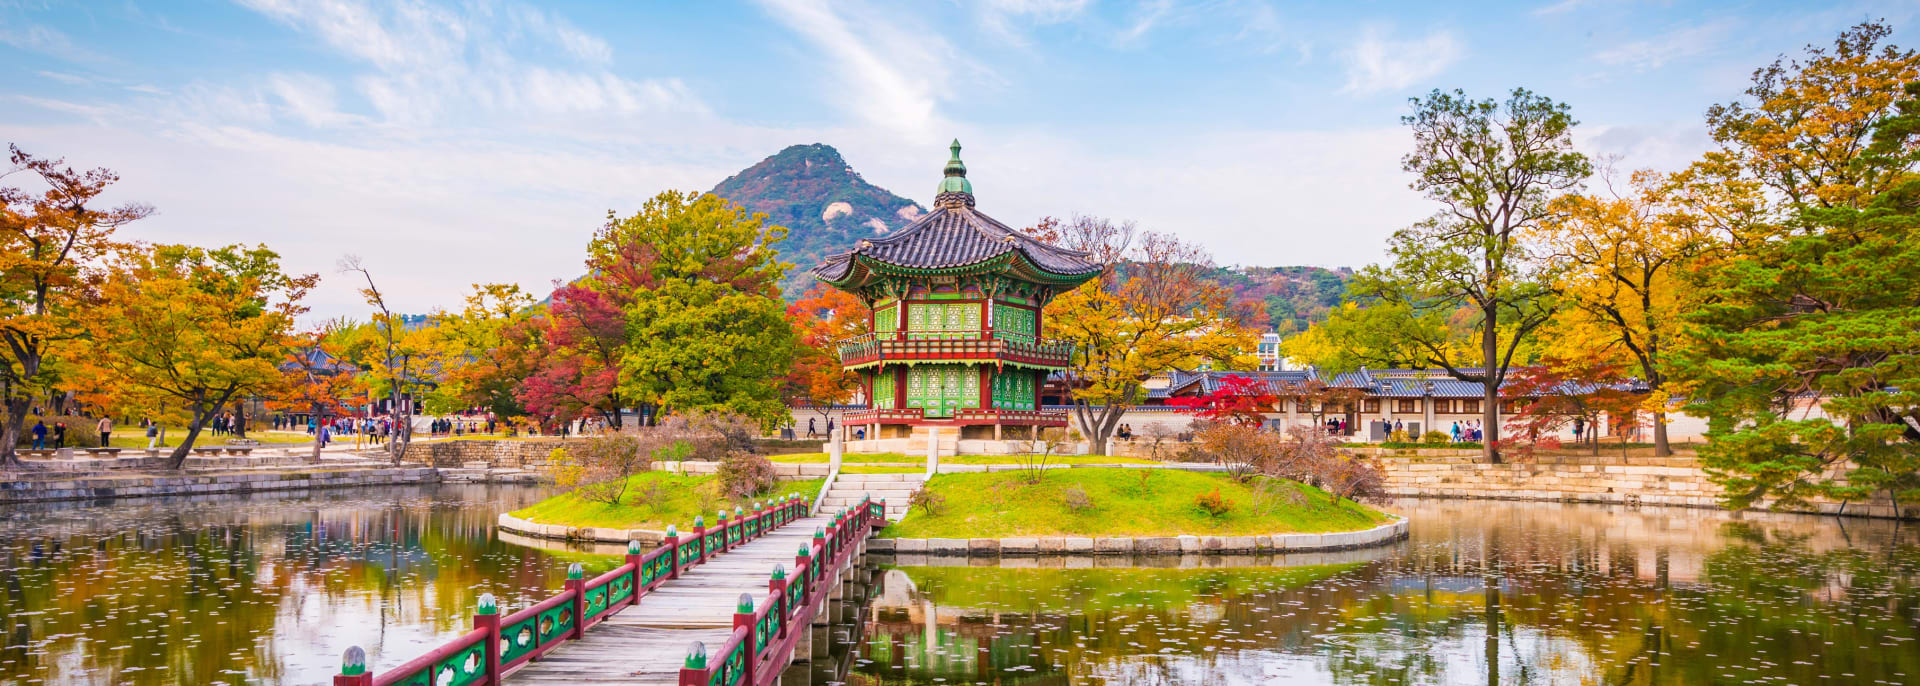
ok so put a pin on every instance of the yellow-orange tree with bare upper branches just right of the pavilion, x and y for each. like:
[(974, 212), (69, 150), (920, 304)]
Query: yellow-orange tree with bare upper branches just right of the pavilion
[(1149, 312)]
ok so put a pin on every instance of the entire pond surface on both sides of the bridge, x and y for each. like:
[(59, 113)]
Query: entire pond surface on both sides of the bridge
[(272, 589)]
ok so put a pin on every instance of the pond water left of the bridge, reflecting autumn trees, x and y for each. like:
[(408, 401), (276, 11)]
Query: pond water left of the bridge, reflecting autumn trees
[(254, 589)]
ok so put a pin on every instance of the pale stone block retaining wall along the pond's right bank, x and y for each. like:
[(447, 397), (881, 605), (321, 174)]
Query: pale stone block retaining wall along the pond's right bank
[(1631, 481)]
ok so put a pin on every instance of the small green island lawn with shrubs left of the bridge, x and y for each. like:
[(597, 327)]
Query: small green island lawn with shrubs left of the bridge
[(656, 501)]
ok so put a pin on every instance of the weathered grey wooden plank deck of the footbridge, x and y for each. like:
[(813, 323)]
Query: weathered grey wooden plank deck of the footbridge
[(646, 645)]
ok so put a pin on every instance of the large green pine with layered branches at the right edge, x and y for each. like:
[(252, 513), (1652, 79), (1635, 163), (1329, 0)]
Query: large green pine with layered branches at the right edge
[(1808, 355)]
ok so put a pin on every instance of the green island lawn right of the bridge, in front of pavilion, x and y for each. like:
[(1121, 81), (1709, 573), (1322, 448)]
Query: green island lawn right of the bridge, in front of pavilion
[(1001, 504)]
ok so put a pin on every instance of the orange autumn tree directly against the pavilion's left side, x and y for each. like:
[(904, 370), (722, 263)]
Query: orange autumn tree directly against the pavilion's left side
[(821, 320)]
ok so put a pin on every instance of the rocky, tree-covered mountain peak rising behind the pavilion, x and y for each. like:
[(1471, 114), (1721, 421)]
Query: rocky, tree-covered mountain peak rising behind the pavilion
[(823, 203)]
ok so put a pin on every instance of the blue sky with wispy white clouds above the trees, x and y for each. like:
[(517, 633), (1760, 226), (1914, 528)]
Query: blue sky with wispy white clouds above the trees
[(450, 143)]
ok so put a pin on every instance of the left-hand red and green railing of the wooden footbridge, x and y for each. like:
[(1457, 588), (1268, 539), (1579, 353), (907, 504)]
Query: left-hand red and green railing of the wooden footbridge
[(498, 645)]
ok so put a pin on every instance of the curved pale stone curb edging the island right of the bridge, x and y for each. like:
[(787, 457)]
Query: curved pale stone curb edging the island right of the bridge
[(1145, 545)]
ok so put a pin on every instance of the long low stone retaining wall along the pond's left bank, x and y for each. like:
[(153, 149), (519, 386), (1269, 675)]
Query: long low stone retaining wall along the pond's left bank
[(193, 485)]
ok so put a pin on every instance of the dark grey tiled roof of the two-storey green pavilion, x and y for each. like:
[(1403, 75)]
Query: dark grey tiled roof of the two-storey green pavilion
[(955, 237)]
